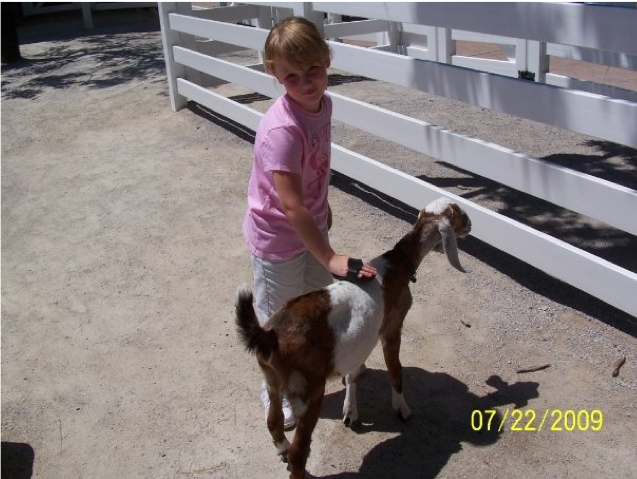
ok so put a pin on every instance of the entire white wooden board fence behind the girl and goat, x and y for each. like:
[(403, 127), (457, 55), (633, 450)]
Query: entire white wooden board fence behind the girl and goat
[(602, 33)]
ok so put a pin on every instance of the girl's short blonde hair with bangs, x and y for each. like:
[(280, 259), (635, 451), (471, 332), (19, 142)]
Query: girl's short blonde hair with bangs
[(298, 41)]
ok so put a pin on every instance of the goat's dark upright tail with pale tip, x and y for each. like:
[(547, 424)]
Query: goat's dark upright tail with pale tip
[(254, 337)]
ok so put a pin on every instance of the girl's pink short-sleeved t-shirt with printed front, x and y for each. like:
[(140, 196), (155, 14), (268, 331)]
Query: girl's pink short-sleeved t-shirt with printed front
[(290, 139)]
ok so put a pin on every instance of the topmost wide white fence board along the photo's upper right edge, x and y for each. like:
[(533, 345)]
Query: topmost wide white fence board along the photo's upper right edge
[(605, 28)]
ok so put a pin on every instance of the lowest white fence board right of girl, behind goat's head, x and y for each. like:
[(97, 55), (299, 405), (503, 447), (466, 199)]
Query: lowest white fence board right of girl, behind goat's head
[(583, 270)]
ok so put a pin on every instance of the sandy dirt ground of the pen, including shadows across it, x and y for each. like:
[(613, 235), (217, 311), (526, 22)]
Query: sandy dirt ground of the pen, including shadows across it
[(120, 253)]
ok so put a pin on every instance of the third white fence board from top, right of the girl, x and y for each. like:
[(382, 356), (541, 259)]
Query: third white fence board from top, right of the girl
[(562, 186)]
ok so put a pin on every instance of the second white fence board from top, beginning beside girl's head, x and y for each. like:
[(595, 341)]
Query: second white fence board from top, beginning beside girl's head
[(595, 115)]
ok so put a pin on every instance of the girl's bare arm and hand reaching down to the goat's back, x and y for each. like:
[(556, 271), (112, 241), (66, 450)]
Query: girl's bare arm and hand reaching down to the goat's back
[(289, 187)]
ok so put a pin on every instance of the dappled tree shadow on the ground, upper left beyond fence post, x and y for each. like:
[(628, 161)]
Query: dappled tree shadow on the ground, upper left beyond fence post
[(113, 54)]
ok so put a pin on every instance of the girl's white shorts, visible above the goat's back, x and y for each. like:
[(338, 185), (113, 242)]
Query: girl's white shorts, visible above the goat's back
[(276, 281)]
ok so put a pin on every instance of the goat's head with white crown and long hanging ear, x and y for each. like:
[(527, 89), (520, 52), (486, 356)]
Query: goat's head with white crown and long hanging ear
[(451, 221)]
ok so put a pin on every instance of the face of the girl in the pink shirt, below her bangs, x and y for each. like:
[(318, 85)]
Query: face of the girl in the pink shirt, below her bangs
[(304, 83)]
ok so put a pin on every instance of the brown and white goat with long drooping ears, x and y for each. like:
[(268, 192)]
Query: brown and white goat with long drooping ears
[(332, 331)]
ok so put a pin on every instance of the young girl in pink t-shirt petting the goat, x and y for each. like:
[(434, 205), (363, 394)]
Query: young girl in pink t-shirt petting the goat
[(288, 213)]
